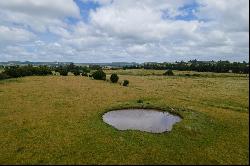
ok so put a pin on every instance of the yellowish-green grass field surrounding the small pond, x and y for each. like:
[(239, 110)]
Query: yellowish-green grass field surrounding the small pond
[(57, 120)]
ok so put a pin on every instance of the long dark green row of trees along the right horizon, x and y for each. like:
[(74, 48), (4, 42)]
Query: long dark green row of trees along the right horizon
[(200, 66)]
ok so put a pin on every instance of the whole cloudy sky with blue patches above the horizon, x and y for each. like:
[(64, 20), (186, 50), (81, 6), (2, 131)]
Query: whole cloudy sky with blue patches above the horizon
[(124, 30)]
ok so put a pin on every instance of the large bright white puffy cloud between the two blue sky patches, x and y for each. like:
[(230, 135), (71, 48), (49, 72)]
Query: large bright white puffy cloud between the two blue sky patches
[(140, 19)]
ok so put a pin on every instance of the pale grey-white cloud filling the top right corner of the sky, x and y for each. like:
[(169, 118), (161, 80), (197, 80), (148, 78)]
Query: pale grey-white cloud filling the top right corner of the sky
[(230, 15)]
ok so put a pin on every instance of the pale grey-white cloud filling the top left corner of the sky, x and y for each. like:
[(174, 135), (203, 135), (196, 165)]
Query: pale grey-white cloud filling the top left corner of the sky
[(37, 14)]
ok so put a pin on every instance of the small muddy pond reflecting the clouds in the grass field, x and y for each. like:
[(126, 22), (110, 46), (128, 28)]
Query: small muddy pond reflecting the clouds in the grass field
[(148, 120)]
